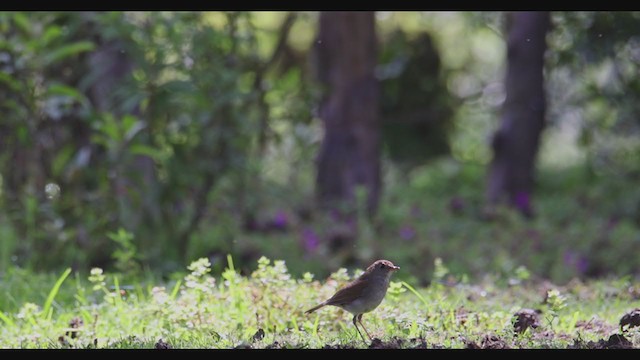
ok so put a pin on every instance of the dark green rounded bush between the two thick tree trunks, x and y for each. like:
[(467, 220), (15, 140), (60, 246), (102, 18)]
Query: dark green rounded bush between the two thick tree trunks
[(416, 106)]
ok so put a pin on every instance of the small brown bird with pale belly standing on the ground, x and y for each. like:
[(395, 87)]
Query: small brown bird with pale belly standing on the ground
[(363, 294)]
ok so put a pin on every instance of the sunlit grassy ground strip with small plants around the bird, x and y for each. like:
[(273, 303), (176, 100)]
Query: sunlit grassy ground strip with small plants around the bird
[(265, 309)]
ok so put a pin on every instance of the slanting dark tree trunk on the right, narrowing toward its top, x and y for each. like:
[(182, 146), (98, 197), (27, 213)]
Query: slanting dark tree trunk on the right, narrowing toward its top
[(515, 144)]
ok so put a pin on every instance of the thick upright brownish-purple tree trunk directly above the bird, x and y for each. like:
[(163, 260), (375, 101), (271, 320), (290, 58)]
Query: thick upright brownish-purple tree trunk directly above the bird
[(350, 153)]
